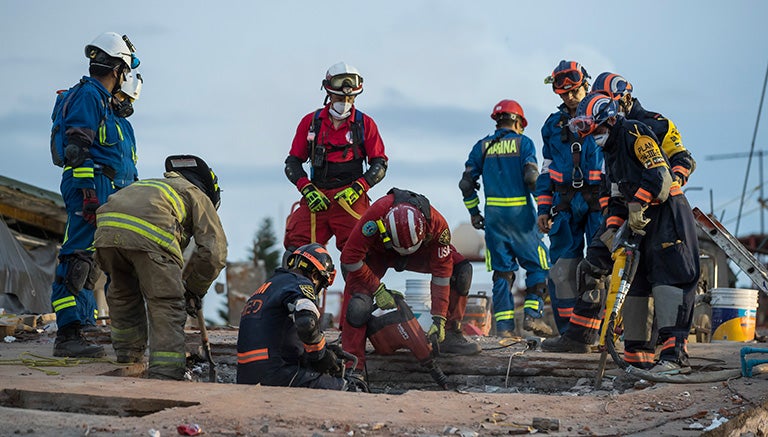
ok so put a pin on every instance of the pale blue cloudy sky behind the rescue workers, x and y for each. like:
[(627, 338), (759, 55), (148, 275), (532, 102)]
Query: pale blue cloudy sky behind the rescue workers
[(230, 83)]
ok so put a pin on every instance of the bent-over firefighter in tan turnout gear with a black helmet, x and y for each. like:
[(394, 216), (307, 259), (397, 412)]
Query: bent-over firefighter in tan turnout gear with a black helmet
[(142, 232)]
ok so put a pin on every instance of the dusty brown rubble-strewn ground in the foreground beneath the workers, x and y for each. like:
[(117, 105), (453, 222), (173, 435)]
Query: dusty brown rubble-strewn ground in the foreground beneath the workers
[(82, 399)]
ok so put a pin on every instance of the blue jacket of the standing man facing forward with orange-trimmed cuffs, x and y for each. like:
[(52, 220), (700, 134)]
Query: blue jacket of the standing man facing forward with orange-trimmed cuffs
[(557, 169)]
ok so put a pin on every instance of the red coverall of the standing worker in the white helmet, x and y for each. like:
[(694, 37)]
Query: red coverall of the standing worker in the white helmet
[(343, 167)]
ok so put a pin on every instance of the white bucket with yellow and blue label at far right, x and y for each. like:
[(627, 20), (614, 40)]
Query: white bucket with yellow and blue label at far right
[(733, 314)]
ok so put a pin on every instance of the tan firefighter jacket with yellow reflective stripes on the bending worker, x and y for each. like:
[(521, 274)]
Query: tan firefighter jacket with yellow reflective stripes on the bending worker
[(162, 215)]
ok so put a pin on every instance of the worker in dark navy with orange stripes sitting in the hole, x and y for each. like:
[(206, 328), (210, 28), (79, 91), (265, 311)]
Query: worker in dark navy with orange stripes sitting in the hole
[(280, 342)]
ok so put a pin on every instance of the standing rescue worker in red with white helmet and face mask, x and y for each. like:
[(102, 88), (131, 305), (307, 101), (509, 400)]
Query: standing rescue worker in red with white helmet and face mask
[(338, 140)]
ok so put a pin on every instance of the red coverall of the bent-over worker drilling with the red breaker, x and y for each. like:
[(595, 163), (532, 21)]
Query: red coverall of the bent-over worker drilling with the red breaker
[(365, 261)]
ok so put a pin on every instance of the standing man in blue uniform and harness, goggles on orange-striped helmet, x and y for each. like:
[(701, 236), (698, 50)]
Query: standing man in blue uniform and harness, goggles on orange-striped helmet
[(568, 189)]
